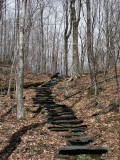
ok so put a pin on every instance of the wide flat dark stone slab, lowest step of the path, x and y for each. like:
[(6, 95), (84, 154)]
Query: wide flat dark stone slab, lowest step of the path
[(77, 150)]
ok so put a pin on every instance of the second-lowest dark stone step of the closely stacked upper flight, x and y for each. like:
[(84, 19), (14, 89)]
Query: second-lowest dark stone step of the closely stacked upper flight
[(72, 122)]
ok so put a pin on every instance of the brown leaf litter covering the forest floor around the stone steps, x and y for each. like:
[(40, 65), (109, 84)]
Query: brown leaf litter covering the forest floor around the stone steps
[(36, 141)]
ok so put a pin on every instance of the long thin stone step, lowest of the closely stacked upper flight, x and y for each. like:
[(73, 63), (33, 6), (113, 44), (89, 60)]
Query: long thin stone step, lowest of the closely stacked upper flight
[(66, 129)]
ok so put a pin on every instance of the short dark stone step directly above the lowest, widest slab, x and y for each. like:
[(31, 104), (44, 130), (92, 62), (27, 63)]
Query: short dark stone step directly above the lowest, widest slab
[(79, 141)]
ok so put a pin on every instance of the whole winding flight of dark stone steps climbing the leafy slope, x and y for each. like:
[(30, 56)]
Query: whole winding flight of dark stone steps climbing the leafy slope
[(64, 119)]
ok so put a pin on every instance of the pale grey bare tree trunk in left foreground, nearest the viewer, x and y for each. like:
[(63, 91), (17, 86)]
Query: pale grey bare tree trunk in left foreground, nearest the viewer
[(20, 109)]
